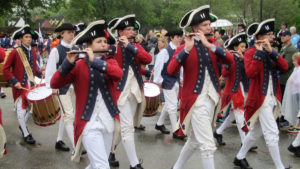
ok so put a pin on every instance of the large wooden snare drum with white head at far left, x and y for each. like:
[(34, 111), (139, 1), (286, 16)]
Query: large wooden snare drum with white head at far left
[(45, 110)]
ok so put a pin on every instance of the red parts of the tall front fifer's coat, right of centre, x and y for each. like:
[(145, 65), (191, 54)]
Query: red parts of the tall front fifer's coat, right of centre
[(190, 73)]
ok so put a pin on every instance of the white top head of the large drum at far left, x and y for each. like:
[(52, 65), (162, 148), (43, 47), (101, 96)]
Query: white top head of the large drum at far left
[(39, 93)]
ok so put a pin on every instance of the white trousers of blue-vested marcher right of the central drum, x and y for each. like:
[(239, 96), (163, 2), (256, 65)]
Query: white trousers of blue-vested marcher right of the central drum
[(170, 106)]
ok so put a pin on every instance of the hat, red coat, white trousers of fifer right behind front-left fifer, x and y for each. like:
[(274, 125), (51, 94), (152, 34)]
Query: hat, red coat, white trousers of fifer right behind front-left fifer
[(130, 87)]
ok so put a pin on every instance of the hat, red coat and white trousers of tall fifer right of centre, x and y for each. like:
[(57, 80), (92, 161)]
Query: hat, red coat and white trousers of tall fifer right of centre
[(200, 92)]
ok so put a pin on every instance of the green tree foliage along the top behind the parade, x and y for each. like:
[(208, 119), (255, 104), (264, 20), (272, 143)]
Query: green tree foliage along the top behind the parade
[(155, 13)]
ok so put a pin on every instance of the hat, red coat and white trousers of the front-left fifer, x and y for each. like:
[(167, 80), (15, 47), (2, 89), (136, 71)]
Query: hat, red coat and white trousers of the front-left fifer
[(96, 98)]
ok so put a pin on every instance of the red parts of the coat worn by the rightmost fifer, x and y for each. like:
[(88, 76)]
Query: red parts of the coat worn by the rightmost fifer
[(255, 71)]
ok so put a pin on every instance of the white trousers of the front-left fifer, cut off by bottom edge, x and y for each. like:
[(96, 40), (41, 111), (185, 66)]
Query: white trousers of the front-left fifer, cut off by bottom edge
[(97, 142)]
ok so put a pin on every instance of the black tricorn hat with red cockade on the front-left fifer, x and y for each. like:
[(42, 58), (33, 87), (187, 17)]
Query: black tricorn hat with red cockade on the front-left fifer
[(94, 30)]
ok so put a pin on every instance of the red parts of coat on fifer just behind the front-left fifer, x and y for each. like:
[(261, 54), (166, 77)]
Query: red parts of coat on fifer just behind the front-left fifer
[(142, 57)]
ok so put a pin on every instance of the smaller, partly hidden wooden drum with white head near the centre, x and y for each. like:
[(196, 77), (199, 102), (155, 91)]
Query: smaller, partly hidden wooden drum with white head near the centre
[(152, 95)]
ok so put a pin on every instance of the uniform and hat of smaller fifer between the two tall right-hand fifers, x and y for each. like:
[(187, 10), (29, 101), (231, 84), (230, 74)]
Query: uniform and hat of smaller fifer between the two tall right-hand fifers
[(237, 84)]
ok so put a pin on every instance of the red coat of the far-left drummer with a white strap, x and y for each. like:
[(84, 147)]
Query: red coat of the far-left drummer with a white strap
[(14, 61)]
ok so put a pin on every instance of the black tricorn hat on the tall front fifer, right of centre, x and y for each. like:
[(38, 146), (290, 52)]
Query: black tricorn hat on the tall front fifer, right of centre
[(196, 16)]
